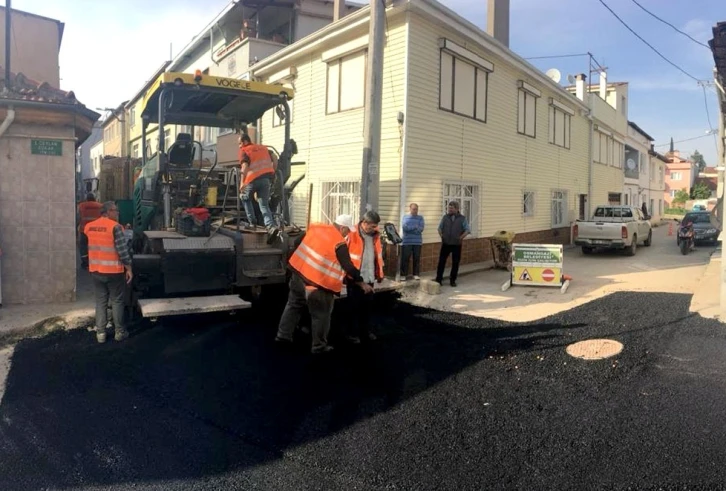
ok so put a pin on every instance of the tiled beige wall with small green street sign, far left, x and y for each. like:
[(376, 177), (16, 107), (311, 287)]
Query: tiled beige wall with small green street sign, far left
[(37, 218)]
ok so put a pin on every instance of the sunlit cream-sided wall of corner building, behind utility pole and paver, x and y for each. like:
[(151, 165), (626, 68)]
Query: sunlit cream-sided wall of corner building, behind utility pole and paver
[(331, 143)]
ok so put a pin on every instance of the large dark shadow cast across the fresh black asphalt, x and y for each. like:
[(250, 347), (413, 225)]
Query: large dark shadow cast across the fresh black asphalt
[(201, 396)]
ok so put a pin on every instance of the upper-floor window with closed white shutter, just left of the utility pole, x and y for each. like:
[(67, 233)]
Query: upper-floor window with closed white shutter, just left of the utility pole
[(346, 83)]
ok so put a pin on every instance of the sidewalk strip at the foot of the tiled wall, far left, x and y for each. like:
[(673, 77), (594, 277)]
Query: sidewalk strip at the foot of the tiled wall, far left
[(21, 321)]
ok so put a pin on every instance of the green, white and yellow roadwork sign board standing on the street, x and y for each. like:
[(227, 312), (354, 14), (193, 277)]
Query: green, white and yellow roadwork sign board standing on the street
[(537, 264)]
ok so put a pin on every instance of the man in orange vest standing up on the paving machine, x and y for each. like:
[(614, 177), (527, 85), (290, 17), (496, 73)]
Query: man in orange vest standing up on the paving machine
[(258, 166)]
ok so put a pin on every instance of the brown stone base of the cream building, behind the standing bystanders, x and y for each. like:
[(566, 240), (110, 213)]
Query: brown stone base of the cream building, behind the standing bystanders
[(475, 250)]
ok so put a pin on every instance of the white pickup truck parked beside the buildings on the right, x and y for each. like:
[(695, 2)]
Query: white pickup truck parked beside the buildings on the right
[(613, 227)]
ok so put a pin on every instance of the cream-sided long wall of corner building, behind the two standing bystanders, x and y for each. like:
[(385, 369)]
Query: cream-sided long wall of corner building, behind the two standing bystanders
[(502, 166)]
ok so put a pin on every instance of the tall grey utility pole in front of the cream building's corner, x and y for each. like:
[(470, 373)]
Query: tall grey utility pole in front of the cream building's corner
[(370, 178)]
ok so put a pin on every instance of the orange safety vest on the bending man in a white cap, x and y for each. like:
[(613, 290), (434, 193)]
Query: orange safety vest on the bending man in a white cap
[(315, 258)]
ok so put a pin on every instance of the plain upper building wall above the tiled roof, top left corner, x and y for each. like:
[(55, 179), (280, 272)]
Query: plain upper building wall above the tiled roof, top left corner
[(35, 46)]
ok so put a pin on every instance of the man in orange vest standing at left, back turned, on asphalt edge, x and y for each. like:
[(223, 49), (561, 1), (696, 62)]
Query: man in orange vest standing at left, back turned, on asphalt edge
[(109, 263)]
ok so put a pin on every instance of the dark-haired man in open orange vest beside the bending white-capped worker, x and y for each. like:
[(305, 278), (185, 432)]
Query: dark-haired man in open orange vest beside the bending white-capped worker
[(366, 252)]
